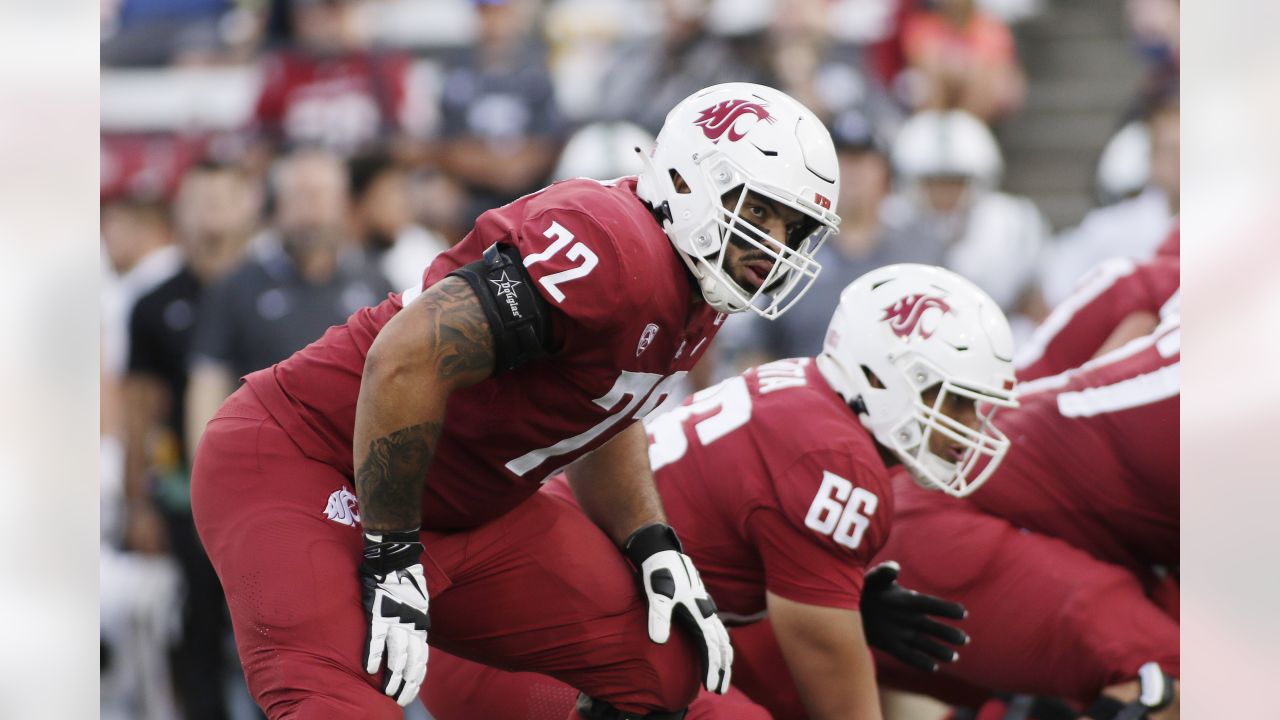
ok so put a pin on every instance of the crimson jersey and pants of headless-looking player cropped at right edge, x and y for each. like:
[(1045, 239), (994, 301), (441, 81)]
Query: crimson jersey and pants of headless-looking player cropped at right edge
[(1054, 557)]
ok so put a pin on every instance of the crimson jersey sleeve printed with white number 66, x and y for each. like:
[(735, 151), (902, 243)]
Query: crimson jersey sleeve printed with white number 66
[(831, 517)]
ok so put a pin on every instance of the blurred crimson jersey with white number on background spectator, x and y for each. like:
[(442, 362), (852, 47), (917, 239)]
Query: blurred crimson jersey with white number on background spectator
[(340, 102)]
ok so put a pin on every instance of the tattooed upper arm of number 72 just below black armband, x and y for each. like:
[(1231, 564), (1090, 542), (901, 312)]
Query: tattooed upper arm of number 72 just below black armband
[(458, 335)]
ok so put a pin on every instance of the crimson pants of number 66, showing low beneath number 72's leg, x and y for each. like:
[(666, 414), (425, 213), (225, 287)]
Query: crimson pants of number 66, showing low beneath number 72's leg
[(460, 690)]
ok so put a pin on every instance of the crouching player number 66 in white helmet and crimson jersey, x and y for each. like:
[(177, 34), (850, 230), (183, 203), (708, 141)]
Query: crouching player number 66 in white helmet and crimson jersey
[(779, 485)]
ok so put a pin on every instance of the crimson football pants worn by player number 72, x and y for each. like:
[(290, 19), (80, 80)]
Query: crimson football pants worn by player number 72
[(538, 590)]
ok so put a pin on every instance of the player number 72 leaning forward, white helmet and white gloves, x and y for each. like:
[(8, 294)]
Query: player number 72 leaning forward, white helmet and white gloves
[(538, 343)]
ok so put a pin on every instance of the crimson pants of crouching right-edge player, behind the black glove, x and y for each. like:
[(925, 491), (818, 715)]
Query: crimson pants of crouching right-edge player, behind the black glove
[(1045, 618)]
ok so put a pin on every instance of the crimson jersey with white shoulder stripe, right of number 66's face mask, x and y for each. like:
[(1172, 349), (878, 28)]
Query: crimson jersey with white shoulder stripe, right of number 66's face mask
[(1095, 455)]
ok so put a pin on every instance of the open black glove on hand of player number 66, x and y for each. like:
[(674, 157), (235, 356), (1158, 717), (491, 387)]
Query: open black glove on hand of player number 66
[(898, 621)]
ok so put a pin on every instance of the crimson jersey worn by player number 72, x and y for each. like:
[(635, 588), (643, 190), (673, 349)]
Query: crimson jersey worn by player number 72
[(624, 315)]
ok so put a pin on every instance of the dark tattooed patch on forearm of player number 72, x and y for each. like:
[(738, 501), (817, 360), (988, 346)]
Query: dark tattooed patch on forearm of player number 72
[(390, 481)]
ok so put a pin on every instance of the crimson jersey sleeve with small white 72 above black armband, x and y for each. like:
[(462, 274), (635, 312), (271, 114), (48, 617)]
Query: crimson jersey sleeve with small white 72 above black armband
[(580, 270)]
